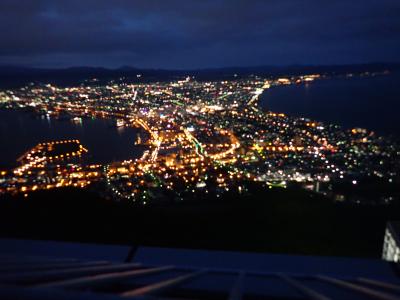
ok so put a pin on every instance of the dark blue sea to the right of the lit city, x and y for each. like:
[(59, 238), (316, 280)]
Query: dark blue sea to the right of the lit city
[(368, 102)]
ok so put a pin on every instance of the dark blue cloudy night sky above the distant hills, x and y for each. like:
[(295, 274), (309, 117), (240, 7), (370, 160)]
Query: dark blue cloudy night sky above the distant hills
[(197, 33)]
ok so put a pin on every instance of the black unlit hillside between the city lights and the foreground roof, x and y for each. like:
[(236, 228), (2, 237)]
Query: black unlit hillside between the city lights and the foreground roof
[(280, 221)]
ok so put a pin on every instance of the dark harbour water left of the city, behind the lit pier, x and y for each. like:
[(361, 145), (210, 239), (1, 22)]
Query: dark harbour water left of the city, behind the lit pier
[(20, 131)]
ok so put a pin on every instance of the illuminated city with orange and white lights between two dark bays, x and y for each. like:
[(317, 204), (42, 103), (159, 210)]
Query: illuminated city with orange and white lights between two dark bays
[(200, 138)]
